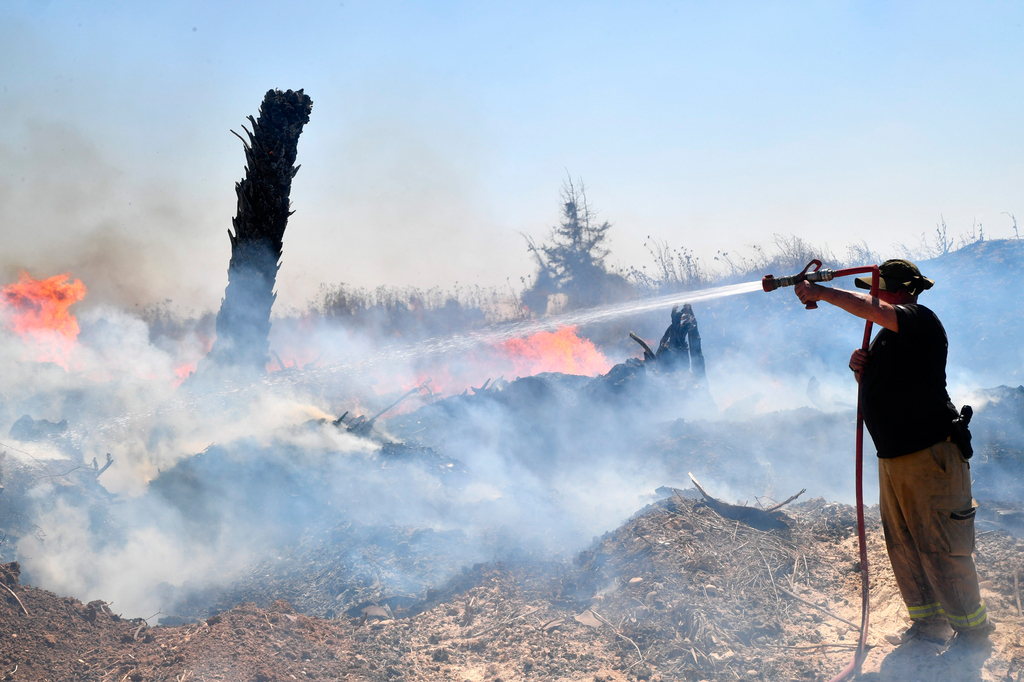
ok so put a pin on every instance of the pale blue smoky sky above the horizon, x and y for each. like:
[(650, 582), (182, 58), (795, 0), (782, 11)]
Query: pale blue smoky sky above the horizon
[(441, 132)]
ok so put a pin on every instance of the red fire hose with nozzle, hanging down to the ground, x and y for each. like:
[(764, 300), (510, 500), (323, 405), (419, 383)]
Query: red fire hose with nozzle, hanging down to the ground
[(818, 275)]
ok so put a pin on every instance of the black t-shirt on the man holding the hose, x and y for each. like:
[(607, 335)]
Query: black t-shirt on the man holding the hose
[(905, 401)]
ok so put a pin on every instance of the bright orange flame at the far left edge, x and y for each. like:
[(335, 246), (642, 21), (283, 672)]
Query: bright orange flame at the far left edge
[(40, 315)]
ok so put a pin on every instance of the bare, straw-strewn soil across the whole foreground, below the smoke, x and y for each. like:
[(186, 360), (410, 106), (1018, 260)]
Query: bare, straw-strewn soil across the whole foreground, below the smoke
[(676, 593)]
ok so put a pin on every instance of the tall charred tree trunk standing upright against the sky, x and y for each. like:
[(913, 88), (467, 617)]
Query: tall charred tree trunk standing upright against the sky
[(244, 321)]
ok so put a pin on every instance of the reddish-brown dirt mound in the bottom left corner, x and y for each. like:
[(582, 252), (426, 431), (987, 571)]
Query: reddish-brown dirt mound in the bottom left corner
[(47, 637)]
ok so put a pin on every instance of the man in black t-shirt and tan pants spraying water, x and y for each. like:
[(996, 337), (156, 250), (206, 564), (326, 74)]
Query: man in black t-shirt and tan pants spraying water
[(924, 477)]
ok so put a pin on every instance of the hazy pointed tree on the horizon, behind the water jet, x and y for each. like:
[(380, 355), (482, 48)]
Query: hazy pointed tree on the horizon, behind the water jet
[(572, 262)]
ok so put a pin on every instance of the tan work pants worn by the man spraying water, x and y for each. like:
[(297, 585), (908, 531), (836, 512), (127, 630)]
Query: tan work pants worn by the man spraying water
[(928, 519)]
